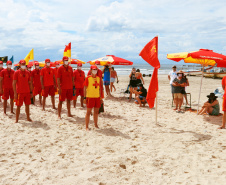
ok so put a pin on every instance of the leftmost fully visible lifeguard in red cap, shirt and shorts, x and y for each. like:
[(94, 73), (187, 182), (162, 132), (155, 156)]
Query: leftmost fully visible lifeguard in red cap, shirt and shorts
[(6, 85)]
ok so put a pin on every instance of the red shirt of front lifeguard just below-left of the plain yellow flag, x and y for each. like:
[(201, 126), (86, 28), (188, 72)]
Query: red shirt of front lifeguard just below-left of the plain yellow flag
[(23, 78)]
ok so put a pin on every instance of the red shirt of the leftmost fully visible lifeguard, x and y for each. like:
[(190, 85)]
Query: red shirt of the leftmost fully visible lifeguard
[(7, 78)]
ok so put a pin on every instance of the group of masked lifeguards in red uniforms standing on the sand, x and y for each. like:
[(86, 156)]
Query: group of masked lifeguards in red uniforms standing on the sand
[(21, 86)]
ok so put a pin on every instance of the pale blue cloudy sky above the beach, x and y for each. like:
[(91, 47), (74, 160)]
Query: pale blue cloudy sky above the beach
[(99, 27)]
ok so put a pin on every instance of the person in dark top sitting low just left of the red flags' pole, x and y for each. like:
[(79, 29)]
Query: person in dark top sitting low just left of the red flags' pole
[(140, 94)]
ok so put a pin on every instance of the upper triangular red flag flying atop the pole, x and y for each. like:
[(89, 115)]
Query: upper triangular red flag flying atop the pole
[(150, 53)]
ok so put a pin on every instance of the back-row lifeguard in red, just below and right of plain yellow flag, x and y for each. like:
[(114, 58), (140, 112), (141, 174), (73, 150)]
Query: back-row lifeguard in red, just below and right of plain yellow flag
[(36, 81)]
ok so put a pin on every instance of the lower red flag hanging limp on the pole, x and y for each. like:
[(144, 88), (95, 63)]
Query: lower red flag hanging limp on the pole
[(153, 88)]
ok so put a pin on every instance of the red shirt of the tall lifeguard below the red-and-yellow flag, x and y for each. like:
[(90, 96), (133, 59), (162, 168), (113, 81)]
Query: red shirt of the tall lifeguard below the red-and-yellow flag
[(65, 74)]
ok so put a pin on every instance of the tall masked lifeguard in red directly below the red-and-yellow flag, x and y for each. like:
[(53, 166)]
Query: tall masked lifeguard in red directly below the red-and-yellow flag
[(65, 82)]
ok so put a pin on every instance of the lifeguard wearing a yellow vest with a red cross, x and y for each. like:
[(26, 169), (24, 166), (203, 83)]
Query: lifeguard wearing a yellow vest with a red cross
[(92, 95)]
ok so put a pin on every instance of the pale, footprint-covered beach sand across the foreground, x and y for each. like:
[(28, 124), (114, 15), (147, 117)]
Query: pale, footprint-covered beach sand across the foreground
[(129, 148)]
